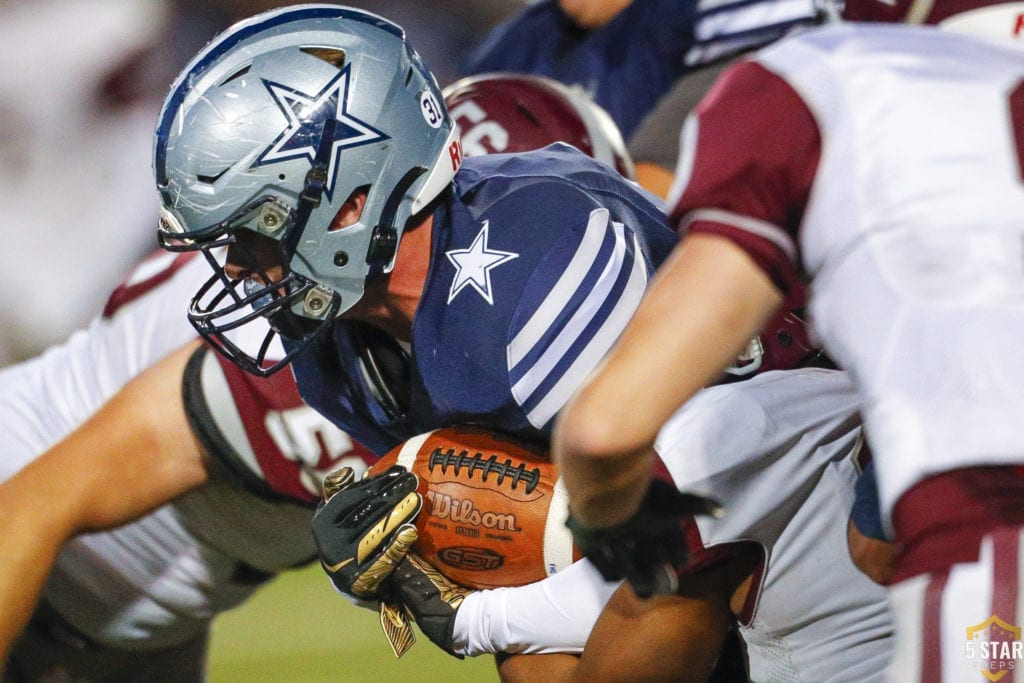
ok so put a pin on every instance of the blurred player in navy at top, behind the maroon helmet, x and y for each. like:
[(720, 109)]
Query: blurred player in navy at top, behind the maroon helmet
[(629, 56)]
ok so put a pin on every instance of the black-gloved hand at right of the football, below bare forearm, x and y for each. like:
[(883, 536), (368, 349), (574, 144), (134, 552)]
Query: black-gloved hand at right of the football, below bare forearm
[(651, 548)]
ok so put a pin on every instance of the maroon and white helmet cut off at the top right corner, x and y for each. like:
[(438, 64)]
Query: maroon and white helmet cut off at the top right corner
[(995, 19)]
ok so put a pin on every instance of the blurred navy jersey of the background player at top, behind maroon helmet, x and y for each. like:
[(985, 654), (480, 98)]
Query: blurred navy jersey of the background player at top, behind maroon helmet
[(627, 65)]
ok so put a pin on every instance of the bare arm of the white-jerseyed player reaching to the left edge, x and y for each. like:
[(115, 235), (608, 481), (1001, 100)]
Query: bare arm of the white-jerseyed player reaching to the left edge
[(136, 454)]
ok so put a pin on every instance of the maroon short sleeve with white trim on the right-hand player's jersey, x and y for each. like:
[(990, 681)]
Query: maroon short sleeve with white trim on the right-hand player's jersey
[(750, 172)]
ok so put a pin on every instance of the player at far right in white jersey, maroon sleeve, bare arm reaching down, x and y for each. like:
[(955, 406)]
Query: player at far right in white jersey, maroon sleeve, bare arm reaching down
[(883, 162)]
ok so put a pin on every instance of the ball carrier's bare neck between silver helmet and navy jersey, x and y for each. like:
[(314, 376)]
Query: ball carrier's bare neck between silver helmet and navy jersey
[(391, 304)]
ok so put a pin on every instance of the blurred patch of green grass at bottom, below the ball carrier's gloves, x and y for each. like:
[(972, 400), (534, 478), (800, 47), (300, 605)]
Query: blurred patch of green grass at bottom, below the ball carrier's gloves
[(298, 630)]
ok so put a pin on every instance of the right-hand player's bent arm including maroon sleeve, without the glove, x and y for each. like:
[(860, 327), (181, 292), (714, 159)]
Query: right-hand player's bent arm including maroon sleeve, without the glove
[(743, 185)]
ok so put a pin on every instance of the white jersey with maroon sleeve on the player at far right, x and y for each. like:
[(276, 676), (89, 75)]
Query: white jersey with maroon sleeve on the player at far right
[(903, 152)]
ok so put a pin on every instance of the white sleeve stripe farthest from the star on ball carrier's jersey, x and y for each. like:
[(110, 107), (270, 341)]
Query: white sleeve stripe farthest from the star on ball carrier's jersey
[(599, 346)]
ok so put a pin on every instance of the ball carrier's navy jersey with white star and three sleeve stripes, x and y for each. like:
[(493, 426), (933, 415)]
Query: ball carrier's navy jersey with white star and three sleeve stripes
[(538, 263)]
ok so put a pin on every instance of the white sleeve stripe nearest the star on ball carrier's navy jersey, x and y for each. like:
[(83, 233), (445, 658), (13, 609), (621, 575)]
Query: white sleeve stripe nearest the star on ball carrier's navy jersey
[(549, 312)]
